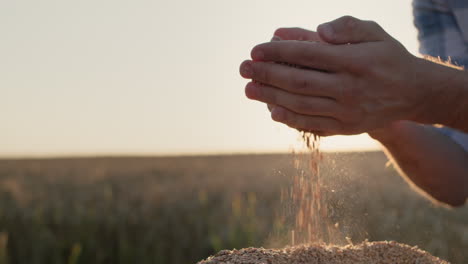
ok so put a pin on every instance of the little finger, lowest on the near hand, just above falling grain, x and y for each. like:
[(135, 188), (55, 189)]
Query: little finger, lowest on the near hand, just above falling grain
[(323, 126)]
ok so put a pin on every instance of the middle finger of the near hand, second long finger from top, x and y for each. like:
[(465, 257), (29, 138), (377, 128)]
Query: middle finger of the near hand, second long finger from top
[(294, 80)]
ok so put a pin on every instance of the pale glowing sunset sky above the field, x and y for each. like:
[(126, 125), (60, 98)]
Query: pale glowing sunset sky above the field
[(153, 77)]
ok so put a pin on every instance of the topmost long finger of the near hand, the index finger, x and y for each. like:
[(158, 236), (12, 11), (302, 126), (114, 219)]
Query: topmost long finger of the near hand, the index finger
[(303, 53)]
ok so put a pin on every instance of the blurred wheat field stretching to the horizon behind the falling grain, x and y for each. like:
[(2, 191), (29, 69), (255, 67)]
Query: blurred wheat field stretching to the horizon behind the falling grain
[(173, 210)]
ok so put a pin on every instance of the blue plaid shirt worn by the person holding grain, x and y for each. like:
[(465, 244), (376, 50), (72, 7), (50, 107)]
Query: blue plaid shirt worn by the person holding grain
[(443, 32)]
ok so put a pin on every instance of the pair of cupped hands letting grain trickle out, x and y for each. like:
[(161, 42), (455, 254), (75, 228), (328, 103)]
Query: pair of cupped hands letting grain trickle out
[(349, 77)]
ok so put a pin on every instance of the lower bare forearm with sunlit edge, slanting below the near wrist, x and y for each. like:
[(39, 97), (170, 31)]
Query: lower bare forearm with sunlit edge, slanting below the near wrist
[(430, 161)]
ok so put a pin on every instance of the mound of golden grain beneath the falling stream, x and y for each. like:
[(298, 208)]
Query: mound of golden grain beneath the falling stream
[(365, 253)]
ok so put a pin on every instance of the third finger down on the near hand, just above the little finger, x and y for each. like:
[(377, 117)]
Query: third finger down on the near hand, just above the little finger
[(306, 105)]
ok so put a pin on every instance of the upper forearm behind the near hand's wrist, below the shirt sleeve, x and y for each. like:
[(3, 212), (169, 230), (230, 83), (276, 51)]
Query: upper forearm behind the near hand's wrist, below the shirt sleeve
[(447, 100)]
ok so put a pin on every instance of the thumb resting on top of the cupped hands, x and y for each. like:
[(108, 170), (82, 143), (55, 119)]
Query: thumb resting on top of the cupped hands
[(349, 29)]
